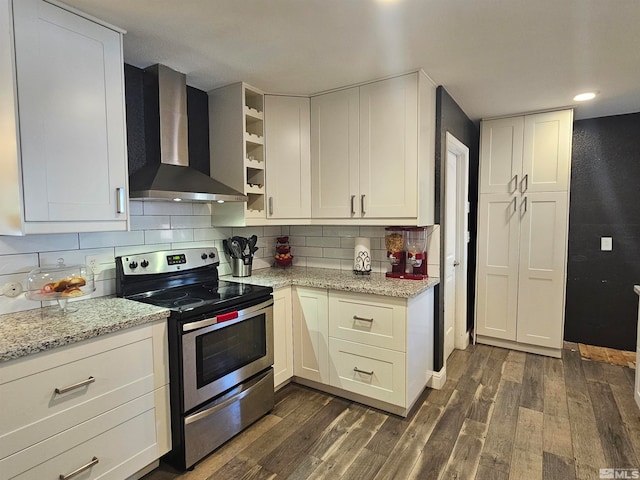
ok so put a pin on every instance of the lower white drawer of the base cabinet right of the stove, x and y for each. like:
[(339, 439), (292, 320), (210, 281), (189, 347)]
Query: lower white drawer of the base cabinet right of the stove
[(385, 371)]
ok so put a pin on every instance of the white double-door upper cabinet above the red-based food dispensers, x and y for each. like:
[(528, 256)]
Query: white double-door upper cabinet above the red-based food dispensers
[(372, 152)]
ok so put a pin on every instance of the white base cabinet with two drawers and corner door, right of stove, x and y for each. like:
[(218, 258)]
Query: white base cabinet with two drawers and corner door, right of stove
[(374, 349)]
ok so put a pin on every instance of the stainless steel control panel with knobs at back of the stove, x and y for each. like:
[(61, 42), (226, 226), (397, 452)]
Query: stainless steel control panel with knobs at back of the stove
[(168, 261)]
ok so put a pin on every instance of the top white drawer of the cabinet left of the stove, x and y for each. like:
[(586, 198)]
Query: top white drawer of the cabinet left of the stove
[(33, 411)]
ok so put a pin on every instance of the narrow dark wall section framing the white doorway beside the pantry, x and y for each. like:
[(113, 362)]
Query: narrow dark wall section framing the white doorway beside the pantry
[(451, 118)]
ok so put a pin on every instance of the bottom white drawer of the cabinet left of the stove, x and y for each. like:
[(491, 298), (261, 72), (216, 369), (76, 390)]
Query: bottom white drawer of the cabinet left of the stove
[(123, 440)]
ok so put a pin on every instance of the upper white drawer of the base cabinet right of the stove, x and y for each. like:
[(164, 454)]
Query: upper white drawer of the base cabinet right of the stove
[(369, 319)]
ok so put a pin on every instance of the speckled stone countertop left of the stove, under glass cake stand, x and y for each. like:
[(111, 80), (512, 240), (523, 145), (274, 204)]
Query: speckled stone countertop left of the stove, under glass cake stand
[(31, 331)]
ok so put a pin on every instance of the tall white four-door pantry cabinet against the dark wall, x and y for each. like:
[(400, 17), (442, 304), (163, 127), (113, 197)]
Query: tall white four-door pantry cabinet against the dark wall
[(523, 213)]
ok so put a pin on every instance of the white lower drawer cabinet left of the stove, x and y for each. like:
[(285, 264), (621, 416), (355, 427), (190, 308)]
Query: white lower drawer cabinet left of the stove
[(100, 403)]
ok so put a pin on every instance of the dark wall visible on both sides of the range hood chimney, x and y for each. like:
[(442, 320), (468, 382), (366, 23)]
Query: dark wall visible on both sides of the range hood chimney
[(139, 128)]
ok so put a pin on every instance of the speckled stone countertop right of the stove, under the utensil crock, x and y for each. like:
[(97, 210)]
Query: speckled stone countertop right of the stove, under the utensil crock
[(332, 279)]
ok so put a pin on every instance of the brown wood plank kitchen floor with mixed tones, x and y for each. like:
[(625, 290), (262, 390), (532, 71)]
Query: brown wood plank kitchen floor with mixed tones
[(501, 415)]
